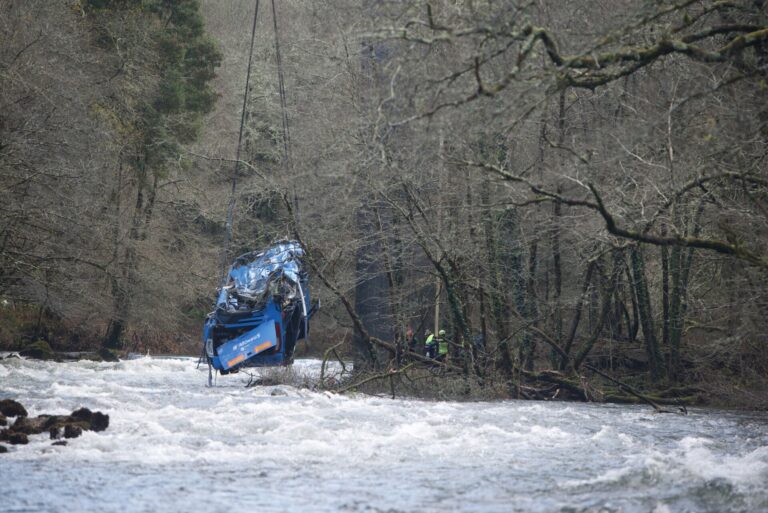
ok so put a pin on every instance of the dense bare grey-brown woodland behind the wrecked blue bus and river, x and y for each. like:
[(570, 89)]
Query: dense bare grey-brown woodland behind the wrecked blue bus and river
[(556, 183)]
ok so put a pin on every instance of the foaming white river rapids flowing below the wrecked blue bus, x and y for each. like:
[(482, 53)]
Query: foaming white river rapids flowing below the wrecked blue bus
[(174, 445)]
